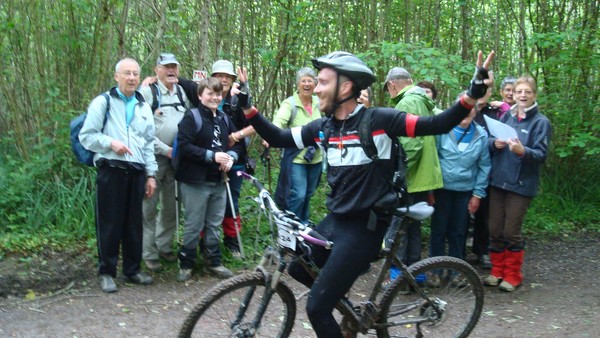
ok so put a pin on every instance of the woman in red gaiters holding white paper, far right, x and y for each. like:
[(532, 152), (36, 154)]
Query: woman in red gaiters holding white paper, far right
[(514, 181)]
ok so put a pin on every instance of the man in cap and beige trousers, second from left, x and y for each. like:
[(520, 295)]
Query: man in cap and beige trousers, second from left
[(169, 103)]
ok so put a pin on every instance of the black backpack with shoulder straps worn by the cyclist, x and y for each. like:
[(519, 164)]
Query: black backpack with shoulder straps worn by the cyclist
[(399, 158)]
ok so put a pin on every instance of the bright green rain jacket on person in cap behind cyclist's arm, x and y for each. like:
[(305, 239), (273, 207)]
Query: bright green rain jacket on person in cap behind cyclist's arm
[(423, 170)]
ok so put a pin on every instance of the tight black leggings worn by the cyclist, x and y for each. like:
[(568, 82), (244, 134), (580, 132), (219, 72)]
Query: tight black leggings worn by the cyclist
[(354, 248)]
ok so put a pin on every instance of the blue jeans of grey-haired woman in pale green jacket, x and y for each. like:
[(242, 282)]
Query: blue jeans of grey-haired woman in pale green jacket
[(304, 181)]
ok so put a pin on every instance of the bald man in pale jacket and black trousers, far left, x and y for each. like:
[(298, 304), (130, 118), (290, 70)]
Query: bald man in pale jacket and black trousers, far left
[(126, 170)]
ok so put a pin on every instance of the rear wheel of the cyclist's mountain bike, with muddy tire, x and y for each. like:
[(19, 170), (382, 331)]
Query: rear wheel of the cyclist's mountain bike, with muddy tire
[(459, 286)]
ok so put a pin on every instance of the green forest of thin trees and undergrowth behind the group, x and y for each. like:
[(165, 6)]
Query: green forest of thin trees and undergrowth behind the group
[(57, 55)]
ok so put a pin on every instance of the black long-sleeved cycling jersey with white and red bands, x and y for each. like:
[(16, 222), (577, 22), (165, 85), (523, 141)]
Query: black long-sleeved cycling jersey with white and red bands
[(355, 183)]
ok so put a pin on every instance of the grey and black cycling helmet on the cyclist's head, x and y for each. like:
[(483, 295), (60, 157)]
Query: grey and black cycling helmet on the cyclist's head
[(347, 64)]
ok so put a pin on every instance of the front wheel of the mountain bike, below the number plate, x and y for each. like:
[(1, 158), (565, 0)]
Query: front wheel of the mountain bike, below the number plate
[(243, 306)]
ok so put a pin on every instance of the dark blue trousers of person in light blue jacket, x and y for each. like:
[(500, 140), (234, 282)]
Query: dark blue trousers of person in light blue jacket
[(449, 222)]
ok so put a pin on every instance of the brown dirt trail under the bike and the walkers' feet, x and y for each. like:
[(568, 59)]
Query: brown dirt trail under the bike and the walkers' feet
[(560, 297)]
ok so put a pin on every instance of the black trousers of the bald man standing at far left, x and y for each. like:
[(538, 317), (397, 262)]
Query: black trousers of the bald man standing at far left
[(119, 197)]
